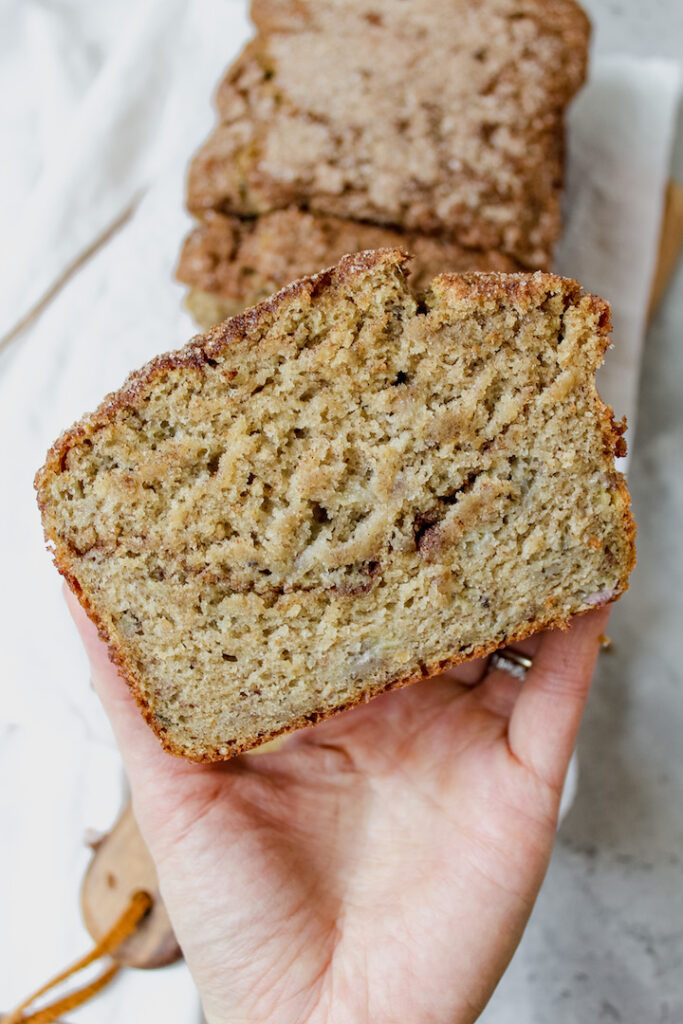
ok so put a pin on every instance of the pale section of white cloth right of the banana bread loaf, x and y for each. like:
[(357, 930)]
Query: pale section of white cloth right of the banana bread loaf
[(621, 135)]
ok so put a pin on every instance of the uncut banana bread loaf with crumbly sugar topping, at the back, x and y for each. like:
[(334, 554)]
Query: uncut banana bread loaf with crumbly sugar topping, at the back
[(438, 116)]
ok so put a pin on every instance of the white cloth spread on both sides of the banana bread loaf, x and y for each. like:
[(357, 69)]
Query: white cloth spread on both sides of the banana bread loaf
[(112, 109)]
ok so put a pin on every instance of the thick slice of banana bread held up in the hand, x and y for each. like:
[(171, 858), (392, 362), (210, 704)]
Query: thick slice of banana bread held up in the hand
[(341, 492)]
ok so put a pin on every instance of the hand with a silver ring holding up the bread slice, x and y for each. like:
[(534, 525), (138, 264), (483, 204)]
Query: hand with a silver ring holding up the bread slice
[(379, 868)]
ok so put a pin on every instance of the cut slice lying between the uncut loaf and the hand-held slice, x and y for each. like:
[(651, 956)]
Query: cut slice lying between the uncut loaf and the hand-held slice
[(232, 264)]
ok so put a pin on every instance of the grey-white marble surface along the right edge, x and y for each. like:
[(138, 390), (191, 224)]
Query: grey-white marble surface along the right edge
[(606, 942)]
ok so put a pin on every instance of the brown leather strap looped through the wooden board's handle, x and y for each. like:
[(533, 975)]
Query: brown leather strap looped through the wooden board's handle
[(125, 926)]
